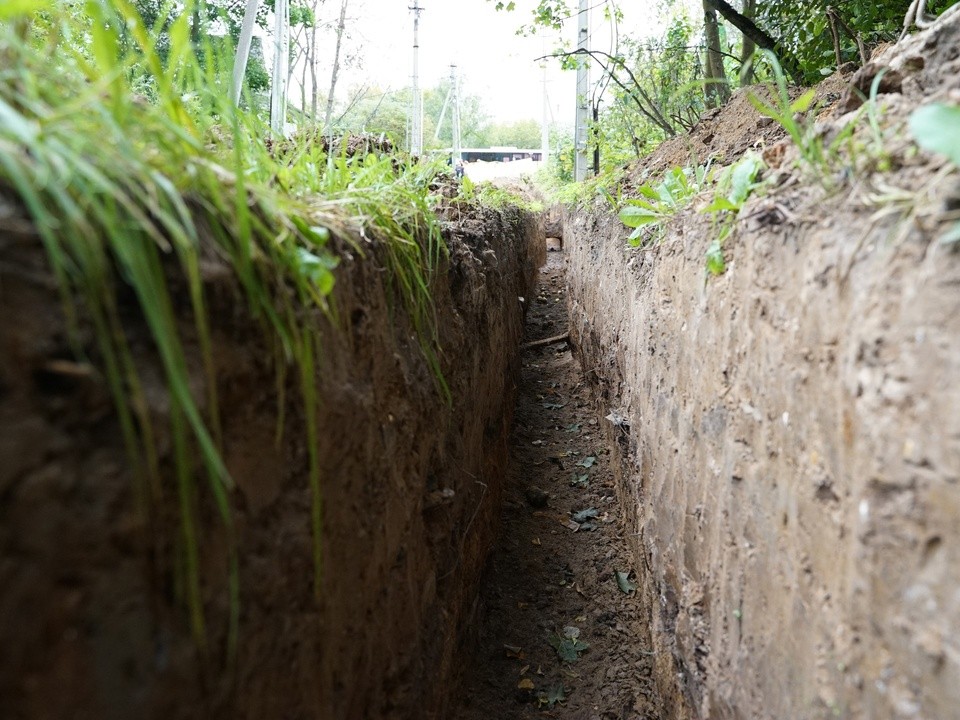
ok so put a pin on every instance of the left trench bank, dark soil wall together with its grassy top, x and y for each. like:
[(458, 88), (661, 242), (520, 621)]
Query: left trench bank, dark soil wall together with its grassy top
[(254, 395)]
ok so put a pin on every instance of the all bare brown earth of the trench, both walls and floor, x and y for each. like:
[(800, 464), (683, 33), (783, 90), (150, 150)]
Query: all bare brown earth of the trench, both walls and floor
[(772, 456)]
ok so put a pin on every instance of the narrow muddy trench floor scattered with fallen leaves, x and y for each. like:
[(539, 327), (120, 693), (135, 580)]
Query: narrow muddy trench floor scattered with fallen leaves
[(559, 635)]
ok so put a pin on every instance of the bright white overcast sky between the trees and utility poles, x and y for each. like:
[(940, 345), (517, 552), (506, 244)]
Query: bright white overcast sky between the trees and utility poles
[(492, 61)]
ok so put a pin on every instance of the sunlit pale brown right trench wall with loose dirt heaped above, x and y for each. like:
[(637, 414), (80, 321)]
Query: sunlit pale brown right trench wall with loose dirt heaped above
[(787, 430)]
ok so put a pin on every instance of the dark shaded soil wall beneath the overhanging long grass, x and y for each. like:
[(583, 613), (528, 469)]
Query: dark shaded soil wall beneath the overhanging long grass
[(91, 624)]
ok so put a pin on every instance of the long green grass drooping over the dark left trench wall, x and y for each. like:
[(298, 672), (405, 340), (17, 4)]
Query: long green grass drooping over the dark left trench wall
[(122, 189)]
